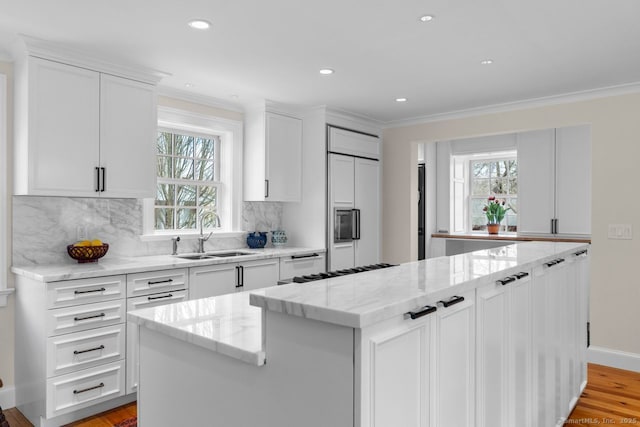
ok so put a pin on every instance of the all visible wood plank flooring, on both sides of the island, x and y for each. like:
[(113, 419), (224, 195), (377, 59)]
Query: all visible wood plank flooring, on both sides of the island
[(612, 397)]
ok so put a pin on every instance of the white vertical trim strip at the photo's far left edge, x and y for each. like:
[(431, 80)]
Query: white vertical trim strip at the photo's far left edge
[(4, 291)]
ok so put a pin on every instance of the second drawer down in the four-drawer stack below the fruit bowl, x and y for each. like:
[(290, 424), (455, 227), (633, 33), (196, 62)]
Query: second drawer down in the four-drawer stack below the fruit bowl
[(84, 317)]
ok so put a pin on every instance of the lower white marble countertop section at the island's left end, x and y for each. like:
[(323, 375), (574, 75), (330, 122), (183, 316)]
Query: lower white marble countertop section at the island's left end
[(225, 324)]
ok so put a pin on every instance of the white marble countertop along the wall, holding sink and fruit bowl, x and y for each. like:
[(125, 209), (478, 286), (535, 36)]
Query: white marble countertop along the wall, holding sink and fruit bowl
[(110, 266)]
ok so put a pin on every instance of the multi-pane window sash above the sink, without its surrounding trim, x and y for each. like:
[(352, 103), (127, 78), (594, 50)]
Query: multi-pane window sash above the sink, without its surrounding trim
[(188, 180)]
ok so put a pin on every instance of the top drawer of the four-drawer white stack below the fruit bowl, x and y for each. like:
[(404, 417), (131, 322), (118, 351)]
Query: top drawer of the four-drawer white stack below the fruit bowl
[(73, 292)]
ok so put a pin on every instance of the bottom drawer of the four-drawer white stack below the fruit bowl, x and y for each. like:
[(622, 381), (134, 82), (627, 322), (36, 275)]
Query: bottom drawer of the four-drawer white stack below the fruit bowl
[(70, 392)]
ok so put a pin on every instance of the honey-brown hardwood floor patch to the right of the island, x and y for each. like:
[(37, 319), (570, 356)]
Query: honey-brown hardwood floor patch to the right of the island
[(612, 397)]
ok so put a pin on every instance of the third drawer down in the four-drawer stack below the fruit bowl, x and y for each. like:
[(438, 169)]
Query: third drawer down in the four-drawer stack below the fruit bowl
[(81, 350)]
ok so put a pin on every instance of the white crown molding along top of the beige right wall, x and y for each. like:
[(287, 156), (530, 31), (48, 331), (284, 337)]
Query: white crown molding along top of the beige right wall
[(519, 105)]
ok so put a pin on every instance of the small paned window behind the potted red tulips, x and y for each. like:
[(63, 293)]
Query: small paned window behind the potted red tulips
[(493, 177)]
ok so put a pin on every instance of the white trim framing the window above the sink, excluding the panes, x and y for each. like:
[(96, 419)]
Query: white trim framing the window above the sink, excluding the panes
[(232, 136)]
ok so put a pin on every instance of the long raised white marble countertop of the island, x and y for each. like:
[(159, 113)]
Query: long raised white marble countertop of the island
[(360, 300)]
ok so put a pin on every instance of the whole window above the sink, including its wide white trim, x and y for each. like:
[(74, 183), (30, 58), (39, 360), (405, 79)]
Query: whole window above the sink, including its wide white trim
[(199, 173)]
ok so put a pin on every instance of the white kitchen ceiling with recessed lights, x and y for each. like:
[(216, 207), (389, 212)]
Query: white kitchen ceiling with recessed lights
[(273, 49)]
